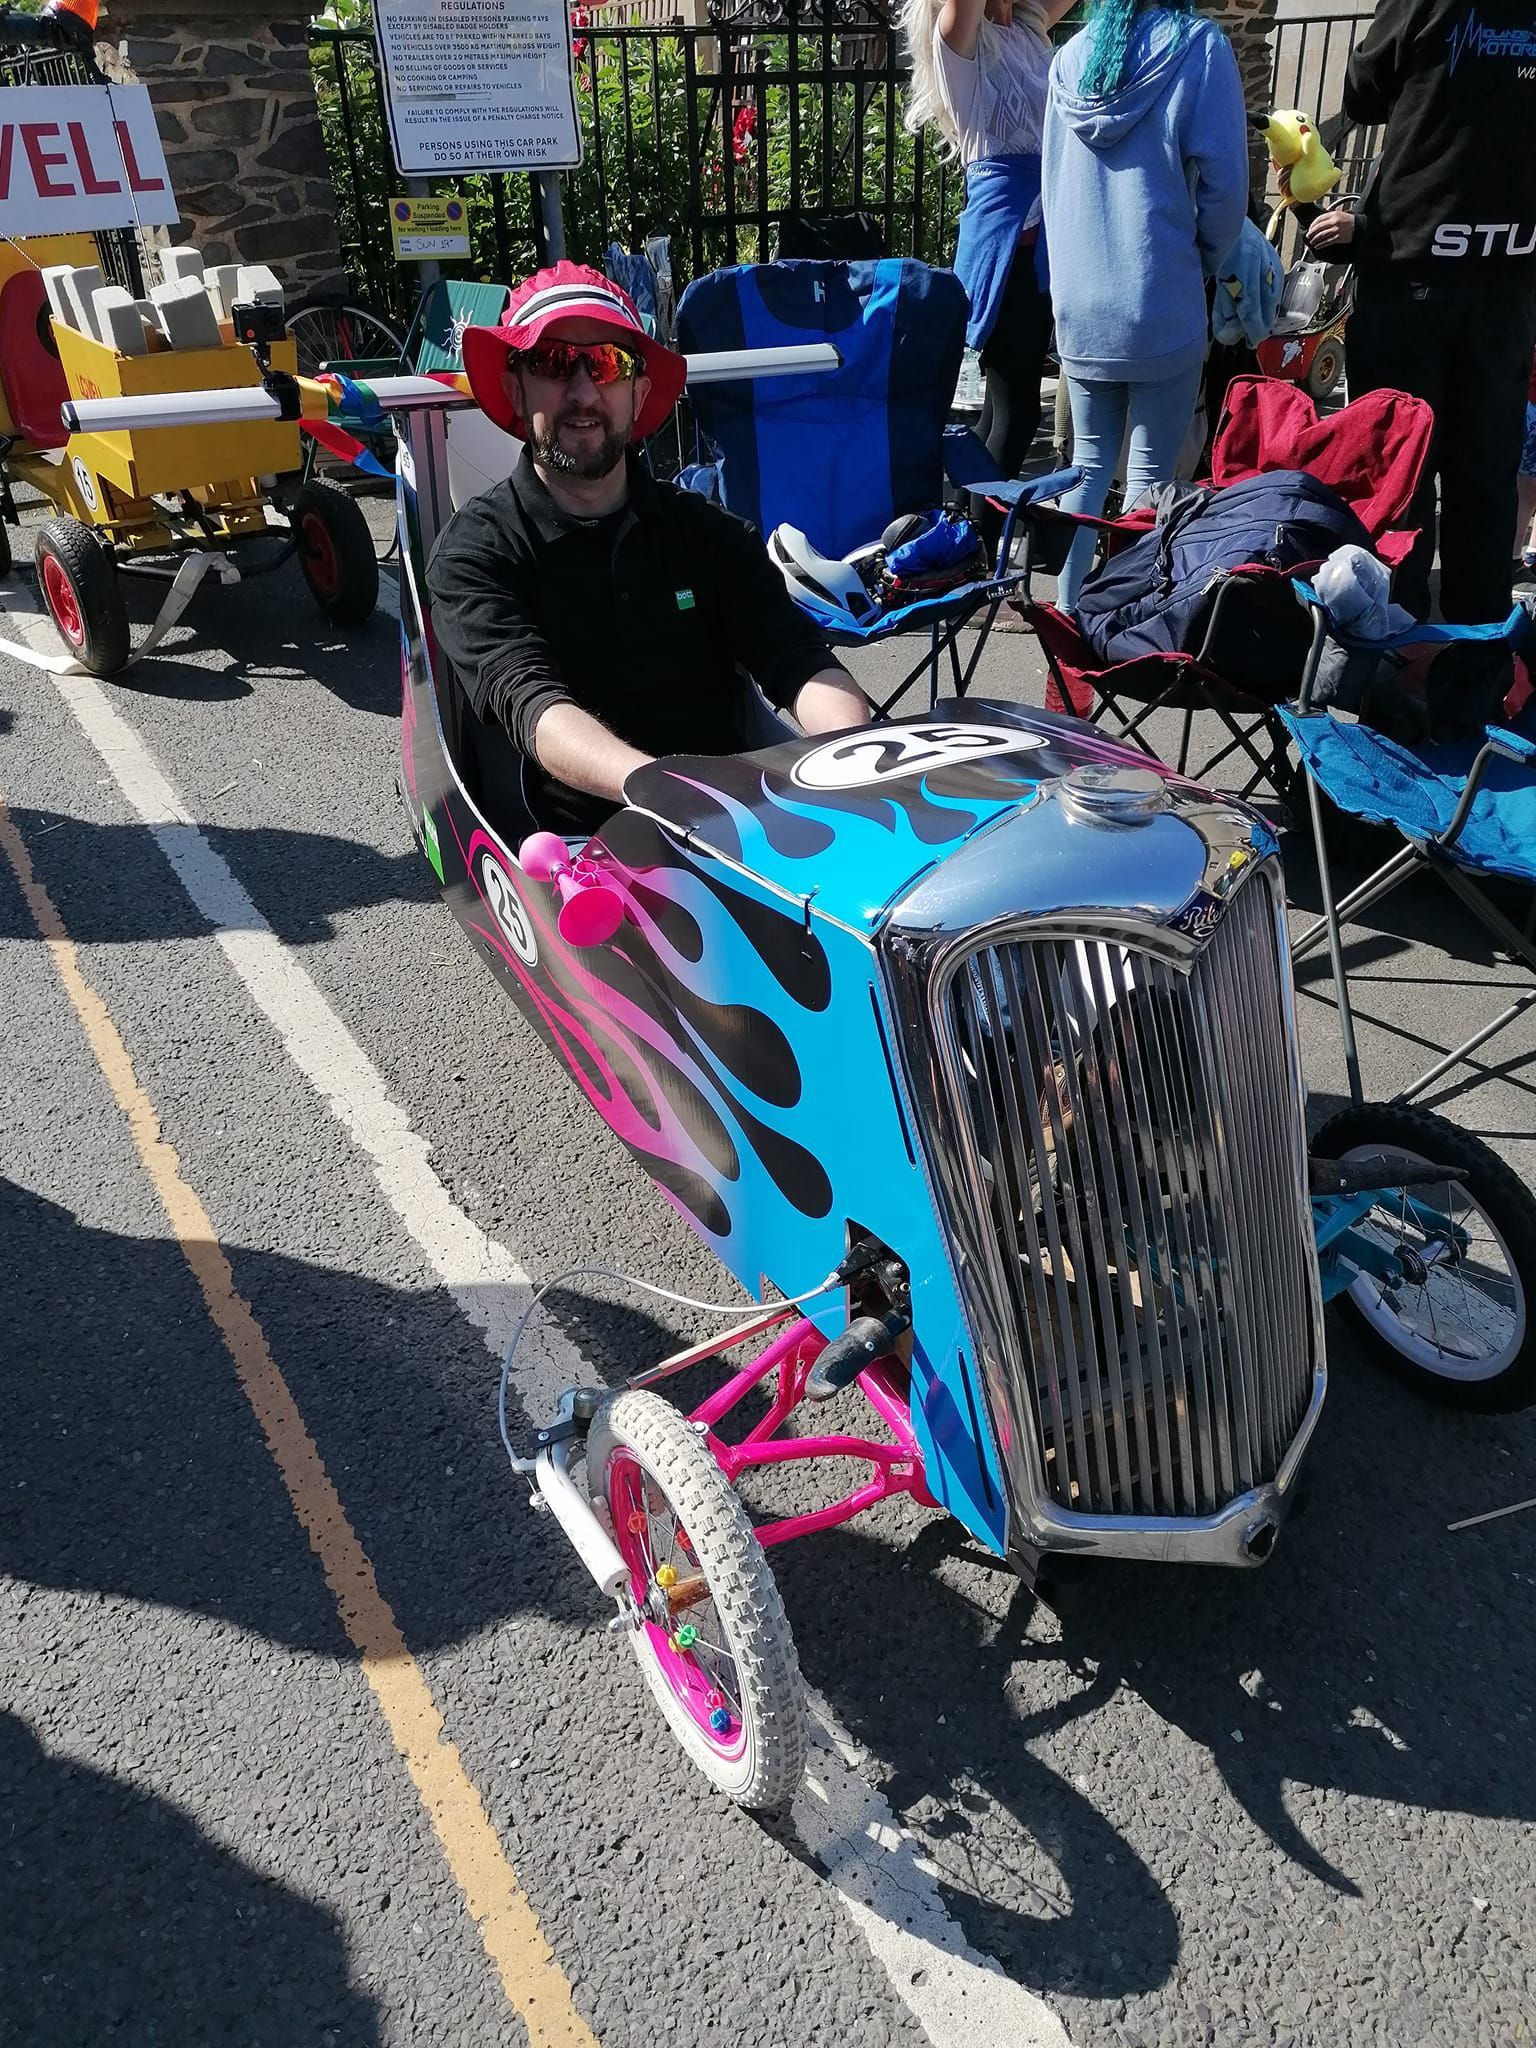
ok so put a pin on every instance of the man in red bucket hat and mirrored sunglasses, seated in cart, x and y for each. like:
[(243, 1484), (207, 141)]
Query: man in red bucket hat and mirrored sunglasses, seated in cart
[(591, 615)]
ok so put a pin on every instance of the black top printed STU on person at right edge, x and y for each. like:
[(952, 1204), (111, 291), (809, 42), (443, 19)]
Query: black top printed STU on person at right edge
[(1455, 81)]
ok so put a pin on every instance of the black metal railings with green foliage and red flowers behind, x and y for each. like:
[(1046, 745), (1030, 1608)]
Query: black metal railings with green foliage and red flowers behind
[(716, 136)]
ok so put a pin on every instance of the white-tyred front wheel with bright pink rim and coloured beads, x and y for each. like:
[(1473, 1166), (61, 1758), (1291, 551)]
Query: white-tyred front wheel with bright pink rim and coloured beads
[(712, 1633)]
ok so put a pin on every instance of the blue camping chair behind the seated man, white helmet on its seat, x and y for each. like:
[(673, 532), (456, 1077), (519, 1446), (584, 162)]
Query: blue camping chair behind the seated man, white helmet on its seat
[(843, 454)]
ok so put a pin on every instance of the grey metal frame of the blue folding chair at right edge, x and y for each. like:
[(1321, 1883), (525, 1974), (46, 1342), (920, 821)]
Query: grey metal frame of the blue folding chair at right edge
[(1435, 855)]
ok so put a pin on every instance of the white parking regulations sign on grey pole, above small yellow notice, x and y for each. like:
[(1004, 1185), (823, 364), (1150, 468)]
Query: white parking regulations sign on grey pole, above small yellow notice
[(478, 85)]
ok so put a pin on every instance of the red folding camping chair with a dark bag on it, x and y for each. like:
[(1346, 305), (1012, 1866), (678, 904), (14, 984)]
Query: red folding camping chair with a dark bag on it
[(1369, 452)]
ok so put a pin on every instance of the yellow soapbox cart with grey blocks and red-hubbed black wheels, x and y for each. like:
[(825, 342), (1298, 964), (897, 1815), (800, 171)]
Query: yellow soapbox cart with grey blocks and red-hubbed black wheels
[(140, 501)]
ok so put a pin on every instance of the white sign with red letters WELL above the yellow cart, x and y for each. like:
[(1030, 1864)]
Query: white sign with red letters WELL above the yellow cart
[(75, 159)]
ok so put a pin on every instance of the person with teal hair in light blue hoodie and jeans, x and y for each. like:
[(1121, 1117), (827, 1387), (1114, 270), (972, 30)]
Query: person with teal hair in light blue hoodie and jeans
[(1144, 196)]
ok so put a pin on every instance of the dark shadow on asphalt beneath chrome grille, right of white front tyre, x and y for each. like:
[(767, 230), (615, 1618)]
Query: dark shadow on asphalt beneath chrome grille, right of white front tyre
[(1375, 1658)]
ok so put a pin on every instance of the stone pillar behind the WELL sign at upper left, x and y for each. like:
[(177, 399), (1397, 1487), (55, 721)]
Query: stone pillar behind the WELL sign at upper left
[(237, 110)]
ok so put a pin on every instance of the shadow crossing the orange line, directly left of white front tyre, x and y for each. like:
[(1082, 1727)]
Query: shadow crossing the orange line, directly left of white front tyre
[(144, 1471)]
